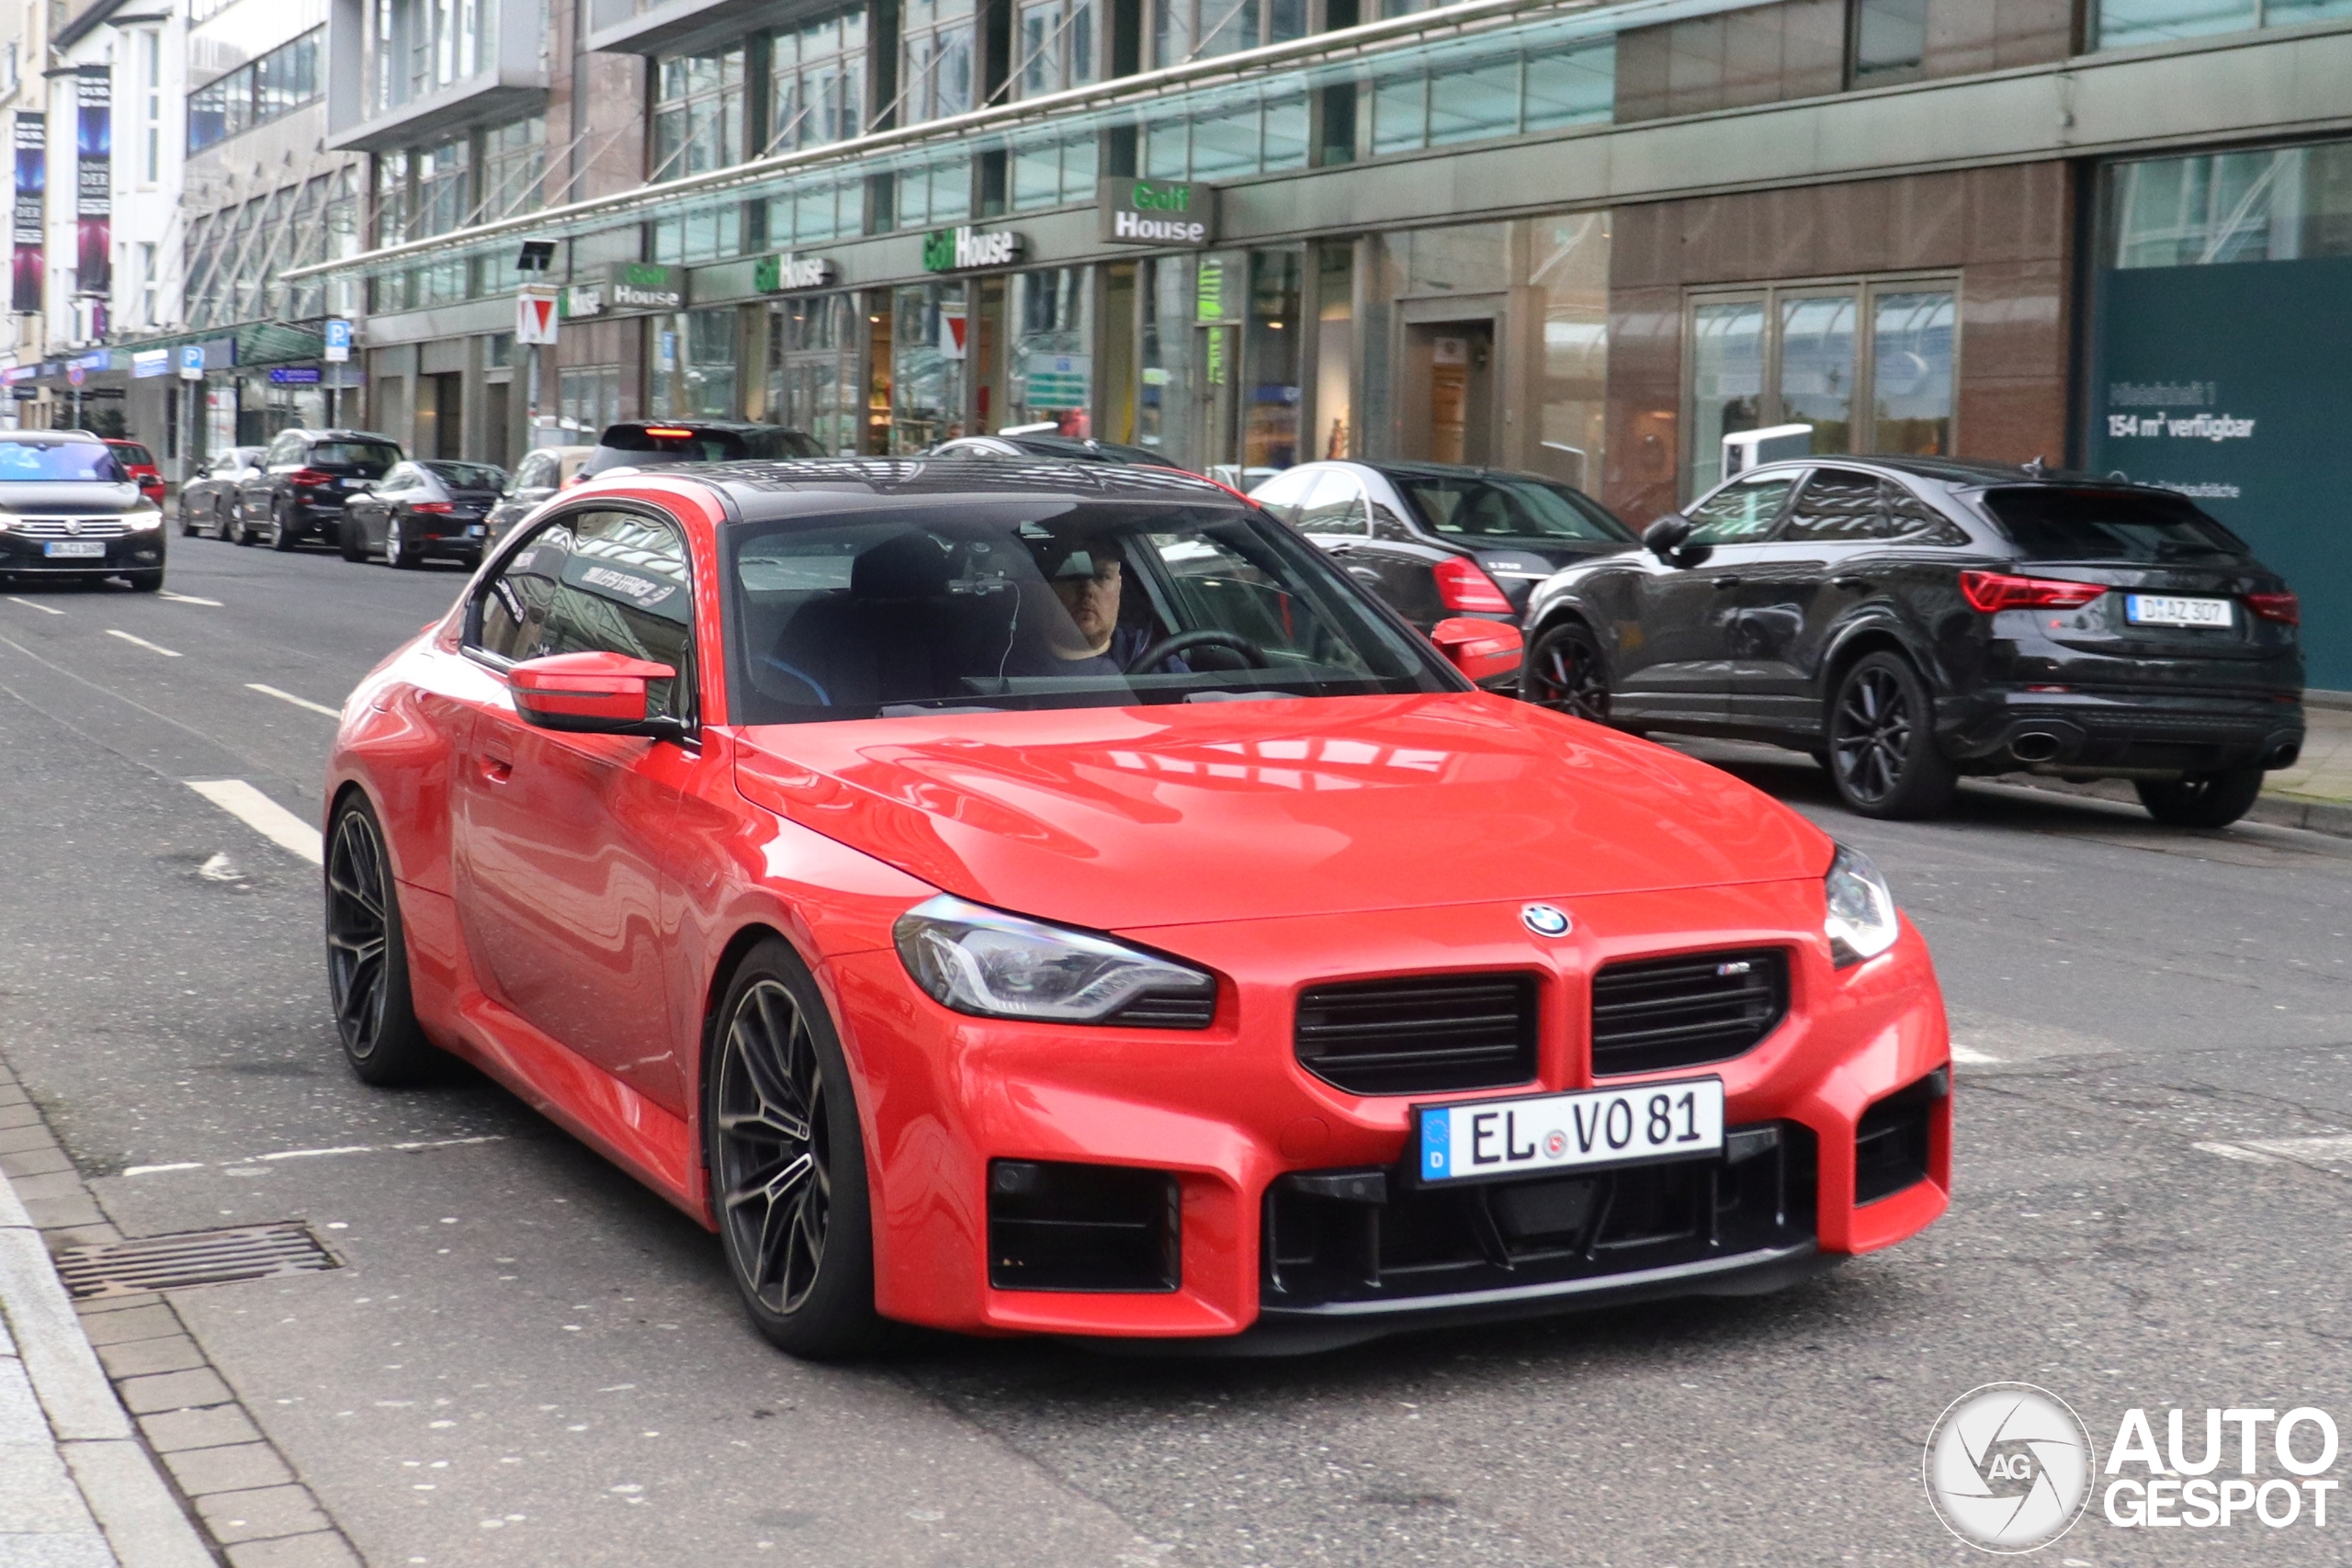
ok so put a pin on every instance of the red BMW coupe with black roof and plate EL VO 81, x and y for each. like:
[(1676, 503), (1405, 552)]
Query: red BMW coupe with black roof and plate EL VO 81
[(1053, 899)]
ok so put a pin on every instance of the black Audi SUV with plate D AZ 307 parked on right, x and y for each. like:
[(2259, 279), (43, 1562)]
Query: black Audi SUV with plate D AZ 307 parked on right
[(1916, 619)]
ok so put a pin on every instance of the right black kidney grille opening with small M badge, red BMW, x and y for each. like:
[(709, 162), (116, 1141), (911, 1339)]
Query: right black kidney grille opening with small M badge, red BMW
[(1697, 1007)]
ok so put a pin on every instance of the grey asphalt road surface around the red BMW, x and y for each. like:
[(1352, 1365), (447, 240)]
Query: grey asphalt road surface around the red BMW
[(528, 1360)]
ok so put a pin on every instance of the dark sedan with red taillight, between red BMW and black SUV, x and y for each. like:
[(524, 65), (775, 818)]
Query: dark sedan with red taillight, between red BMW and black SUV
[(1438, 540)]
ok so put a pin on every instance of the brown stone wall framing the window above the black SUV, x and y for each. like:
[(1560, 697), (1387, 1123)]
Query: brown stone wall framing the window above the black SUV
[(2007, 234)]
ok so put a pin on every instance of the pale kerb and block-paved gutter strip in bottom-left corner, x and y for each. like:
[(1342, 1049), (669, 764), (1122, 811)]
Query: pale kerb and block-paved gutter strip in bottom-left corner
[(140, 1428)]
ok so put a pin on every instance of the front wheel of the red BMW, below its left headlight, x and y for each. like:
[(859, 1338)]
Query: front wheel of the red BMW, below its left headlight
[(777, 1099)]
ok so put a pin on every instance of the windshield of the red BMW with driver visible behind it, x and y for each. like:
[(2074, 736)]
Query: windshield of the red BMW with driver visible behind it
[(1048, 603)]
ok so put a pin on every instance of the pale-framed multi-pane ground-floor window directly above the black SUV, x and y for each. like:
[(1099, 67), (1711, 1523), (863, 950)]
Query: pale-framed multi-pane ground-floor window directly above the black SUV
[(1866, 363)]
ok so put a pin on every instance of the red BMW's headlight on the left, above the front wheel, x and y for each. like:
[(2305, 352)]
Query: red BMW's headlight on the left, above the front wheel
[(1001, 965)]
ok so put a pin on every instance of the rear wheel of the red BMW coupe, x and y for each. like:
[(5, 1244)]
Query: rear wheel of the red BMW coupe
[(368, 960)]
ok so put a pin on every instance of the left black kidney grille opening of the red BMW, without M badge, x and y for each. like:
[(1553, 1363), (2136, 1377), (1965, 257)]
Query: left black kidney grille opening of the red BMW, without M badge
[(1419, 1036)]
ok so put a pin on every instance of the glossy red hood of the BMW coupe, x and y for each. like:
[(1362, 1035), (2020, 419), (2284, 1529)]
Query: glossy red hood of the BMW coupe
[(1208, 812)]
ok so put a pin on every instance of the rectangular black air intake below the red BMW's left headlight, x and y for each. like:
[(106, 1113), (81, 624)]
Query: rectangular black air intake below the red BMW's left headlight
[(1083, 1228)]
